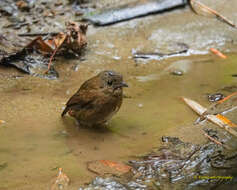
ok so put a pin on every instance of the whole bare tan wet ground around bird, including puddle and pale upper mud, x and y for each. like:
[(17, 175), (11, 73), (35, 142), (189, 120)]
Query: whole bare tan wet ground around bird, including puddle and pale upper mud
[(35, 140)]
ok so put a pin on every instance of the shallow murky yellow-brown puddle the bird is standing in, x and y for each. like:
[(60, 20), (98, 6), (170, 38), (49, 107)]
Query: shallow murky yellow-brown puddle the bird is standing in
[(35, 140)]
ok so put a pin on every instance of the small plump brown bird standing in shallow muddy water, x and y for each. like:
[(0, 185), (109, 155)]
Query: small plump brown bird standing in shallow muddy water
[(97, 100)]
